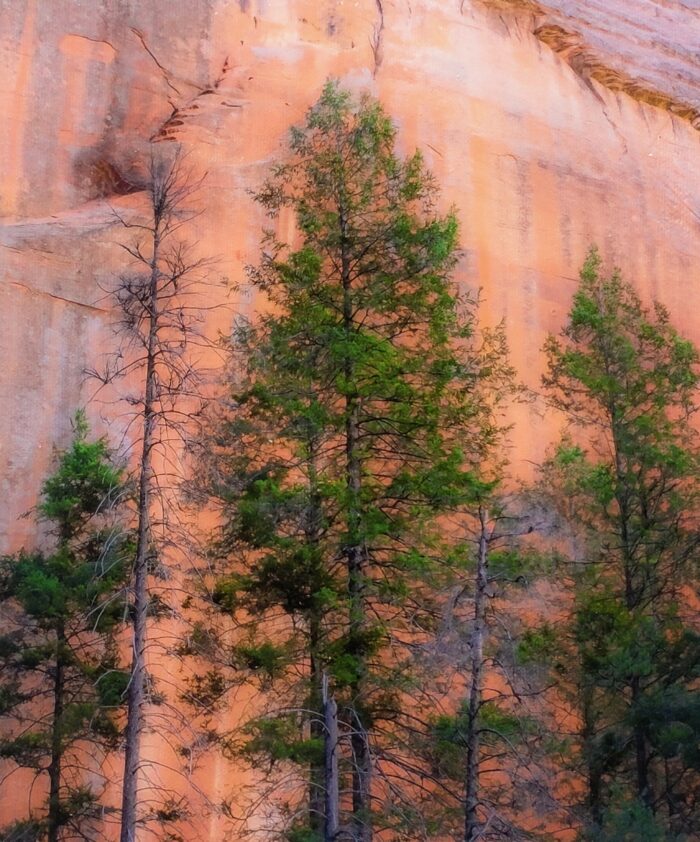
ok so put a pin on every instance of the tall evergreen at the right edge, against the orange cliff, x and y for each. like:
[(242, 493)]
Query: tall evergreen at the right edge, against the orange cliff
[(631, 653)]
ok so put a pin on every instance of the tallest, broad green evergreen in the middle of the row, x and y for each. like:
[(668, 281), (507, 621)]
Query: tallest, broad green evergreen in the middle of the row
[(354, 412)]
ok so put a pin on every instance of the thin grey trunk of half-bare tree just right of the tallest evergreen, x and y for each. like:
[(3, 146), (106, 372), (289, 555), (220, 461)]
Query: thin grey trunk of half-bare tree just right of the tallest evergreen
[(472, 825)]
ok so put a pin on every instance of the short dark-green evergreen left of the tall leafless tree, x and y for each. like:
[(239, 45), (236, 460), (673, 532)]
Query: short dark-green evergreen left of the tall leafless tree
[(61, 686)]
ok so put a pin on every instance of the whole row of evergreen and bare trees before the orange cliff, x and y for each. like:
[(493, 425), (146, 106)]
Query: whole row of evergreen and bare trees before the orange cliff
[(363, 588)]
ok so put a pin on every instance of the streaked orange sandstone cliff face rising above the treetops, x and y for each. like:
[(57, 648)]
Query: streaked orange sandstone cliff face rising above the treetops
[(550, 125)]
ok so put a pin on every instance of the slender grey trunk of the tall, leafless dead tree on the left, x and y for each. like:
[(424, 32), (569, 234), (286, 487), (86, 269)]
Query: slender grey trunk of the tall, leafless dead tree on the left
[(137, 683)]
